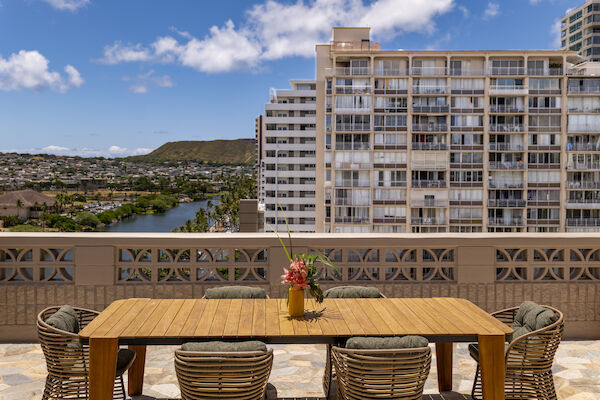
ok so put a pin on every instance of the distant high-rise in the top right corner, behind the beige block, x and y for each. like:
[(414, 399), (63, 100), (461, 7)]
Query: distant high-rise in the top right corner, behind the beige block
[(580, 30)]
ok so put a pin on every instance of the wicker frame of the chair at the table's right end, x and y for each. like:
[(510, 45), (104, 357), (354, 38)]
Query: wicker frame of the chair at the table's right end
[(528, 360)]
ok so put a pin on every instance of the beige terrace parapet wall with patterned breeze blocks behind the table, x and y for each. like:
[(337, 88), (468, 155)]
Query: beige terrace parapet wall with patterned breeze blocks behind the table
[(94, 269)]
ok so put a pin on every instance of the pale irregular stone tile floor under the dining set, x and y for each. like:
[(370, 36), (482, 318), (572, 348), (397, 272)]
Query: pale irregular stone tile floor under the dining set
[(297, 371)]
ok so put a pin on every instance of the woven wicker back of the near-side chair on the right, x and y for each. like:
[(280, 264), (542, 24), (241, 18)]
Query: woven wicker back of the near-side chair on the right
[(381, 374)]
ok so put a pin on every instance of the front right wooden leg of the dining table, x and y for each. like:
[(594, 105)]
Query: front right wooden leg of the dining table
[(491, 362)]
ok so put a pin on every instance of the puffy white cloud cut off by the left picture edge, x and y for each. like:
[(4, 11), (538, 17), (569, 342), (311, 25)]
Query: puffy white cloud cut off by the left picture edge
[(29, 70)]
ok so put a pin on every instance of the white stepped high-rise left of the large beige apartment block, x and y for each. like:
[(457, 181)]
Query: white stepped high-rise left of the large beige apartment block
[(287, 163)]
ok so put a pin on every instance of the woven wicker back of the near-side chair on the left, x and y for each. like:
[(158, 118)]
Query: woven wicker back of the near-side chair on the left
[(232, 375)]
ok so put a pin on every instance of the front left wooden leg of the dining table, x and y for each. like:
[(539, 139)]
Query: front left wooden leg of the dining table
[(103, 364)]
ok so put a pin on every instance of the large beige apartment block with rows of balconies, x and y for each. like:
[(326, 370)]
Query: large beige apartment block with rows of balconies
[(455, 141)]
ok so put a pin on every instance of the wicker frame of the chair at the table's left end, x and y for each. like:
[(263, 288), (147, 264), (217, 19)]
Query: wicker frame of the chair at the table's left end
[(67, 360)]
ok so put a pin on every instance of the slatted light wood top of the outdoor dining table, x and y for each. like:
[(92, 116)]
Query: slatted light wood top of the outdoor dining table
[(174, 321)]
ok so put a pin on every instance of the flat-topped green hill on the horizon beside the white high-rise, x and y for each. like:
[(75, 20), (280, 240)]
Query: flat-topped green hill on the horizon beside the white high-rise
[(238, 151)]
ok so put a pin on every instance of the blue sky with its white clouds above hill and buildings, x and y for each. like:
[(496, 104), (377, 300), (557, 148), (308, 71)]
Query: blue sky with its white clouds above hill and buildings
[(120, 77)]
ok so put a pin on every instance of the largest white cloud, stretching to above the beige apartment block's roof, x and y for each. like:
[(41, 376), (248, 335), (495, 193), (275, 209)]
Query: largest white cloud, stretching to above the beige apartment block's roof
[(274, 30)]
